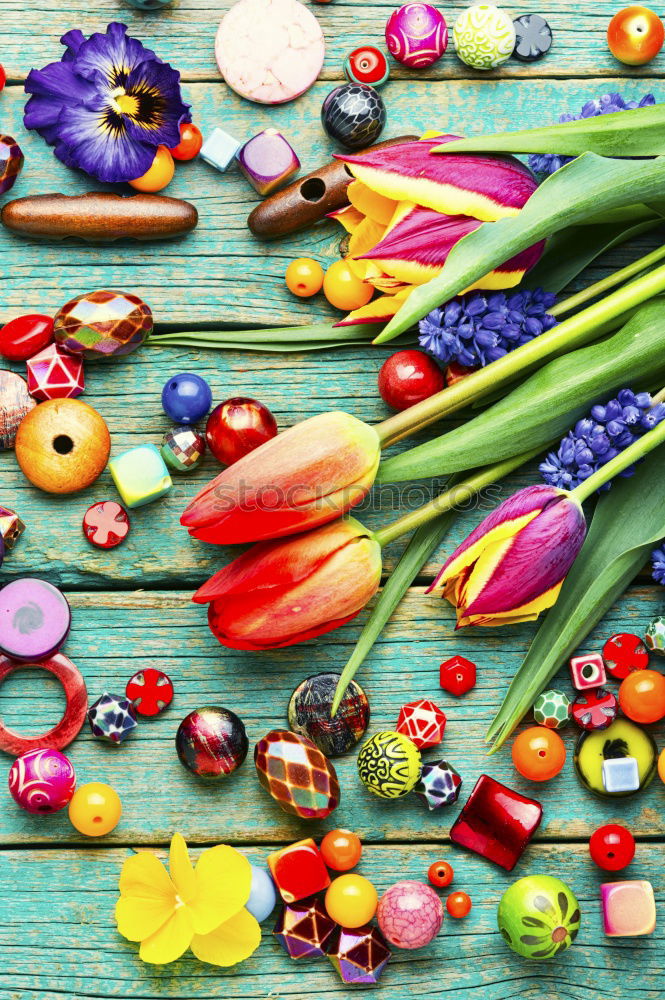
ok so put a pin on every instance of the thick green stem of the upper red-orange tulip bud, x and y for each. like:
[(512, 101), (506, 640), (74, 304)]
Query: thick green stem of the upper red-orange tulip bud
[(574, 332)]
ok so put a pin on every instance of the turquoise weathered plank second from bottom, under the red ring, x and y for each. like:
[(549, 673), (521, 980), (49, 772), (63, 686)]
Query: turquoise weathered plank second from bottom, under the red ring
[(115, 634)]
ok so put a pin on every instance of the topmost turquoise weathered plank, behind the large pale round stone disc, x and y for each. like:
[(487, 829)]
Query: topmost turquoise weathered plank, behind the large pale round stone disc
[(184, 33)]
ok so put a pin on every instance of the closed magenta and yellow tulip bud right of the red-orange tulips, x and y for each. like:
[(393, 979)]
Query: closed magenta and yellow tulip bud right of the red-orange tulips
[(512, 566)]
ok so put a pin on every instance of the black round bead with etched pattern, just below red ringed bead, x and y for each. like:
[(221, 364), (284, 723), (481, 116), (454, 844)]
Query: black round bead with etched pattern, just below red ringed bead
[(353, 115)]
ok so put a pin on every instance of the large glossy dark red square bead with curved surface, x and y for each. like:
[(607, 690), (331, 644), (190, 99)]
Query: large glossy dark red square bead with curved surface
[(496, 822)]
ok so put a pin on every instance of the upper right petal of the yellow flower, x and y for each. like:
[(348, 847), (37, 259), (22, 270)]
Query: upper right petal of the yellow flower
[(223, 883)]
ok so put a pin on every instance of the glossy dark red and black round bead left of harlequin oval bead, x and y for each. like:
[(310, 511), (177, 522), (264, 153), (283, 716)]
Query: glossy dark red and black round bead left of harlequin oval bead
[(211, 742)]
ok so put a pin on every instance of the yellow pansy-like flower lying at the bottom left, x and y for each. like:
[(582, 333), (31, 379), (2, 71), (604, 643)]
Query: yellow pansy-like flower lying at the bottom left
[(202, 907)]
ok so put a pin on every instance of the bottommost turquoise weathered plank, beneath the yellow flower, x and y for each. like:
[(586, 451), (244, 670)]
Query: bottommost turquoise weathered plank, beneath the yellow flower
[(58, 937)]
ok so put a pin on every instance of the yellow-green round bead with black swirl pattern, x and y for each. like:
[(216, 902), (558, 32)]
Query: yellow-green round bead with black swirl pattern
[(389, 765)]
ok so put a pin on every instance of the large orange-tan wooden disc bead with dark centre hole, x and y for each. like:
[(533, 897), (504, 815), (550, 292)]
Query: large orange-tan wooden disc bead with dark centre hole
[(62, 446)]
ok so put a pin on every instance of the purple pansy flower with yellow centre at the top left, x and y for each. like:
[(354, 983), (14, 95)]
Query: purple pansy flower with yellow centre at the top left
[(107, 105)]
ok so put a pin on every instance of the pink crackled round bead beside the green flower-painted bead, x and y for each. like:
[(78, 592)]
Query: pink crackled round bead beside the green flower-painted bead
[(410, 914)]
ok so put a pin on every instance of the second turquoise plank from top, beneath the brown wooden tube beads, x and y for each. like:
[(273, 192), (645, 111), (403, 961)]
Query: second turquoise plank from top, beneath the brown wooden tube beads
[(221, 273)]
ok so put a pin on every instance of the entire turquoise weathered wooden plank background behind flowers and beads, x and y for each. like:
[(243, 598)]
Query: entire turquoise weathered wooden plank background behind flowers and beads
[(131, 607)]
